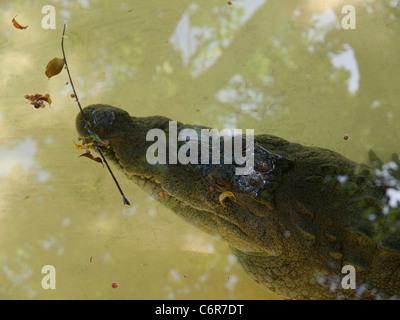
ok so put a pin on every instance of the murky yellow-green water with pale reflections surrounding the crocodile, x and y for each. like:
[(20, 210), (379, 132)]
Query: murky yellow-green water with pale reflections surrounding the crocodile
[(283, 68)]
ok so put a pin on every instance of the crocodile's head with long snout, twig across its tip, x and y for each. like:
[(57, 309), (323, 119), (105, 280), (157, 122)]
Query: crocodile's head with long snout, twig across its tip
[(193, 190)]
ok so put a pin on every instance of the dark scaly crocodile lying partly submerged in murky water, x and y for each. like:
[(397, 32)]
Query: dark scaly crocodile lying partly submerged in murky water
[(306, 223)]
